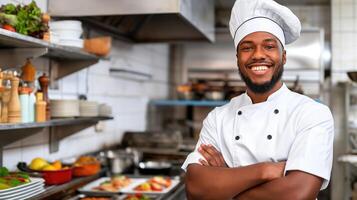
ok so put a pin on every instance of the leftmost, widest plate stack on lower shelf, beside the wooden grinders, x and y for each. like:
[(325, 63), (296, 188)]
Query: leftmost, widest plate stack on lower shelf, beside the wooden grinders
[(64, 108)]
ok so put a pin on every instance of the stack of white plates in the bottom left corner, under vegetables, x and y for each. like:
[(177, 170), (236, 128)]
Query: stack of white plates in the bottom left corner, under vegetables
[(28, 190)]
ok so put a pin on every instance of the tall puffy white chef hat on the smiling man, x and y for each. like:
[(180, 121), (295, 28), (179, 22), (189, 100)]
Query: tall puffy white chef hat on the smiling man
[(249, 16)]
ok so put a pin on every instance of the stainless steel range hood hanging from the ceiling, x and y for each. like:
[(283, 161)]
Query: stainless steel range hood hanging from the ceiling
[(143, 20)]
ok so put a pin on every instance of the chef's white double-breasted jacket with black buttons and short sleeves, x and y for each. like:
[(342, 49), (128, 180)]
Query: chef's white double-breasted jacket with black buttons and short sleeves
[(288, 126)]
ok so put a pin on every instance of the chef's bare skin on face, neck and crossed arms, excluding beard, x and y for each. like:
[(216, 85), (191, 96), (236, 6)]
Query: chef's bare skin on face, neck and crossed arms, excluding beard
[(260, 55)]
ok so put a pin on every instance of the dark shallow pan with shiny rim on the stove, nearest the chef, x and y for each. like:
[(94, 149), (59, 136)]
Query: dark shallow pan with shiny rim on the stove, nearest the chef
[(155, 167)]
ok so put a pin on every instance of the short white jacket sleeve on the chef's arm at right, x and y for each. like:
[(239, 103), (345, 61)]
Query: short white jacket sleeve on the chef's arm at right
[(312, 150)]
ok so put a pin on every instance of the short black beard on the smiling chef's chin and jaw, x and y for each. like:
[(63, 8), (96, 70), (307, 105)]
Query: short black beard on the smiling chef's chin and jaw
[(265, 87)]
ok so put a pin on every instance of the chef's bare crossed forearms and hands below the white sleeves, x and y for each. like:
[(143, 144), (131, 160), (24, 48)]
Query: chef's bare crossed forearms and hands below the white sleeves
[(214, 180)]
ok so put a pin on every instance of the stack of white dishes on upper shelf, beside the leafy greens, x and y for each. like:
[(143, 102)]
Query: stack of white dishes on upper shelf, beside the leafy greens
[(67, 33)]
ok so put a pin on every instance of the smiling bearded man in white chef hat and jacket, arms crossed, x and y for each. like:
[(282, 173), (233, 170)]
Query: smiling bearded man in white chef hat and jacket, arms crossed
[(268, 143)]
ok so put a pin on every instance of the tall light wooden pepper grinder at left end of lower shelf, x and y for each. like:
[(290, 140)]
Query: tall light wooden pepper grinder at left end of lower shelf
[(14, 112)]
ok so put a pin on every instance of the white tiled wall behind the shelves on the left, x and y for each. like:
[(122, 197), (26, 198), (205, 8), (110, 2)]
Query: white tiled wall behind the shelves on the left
[(128, 98)]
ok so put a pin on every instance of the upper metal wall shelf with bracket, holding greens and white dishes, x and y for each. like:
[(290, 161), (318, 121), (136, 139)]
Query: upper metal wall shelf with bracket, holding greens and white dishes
[(15, 48)]
